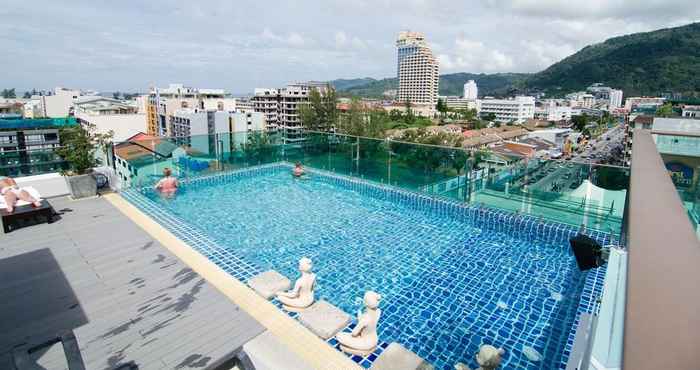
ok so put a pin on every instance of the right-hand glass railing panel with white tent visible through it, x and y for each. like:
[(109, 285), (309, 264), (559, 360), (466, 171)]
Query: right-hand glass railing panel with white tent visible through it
[(574, 193)]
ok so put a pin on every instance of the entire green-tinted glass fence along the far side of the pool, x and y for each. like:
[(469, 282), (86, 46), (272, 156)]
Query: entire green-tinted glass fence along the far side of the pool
[(574, 193)]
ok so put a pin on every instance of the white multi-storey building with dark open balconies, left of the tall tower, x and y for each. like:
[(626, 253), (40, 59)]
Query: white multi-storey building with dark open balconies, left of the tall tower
[(280, 107)]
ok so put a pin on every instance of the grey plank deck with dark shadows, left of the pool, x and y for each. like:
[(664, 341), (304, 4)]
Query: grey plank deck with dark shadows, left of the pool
[(127, 299)]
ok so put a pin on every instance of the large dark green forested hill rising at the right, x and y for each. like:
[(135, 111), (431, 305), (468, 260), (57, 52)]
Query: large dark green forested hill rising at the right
[(648, 63)]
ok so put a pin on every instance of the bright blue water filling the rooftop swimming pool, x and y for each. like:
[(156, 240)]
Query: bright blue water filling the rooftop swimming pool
[(448, 286)]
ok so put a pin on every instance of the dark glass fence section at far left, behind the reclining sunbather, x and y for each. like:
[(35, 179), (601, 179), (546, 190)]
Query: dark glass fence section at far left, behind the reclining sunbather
[(18, 163)]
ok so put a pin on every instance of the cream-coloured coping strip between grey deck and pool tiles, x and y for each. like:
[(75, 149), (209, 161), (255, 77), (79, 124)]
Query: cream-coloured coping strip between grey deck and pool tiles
[(310, 348)]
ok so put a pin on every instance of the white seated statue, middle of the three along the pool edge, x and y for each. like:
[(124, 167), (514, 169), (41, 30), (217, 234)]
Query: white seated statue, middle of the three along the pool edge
[(363, 338)]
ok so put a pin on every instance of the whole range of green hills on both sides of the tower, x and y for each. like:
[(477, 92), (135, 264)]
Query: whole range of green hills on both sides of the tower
[(648, 63)]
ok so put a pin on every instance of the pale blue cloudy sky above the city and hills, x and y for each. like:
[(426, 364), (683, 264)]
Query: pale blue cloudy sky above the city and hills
[(239, 45)]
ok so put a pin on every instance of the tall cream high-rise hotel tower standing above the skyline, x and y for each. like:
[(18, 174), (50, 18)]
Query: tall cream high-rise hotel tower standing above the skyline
[(417, 70)]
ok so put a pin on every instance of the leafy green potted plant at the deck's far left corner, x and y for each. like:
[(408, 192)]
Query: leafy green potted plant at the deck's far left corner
[(78, 147)]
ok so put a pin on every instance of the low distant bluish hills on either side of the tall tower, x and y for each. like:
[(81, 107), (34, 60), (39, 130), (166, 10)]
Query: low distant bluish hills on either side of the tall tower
[(450, 84)]
